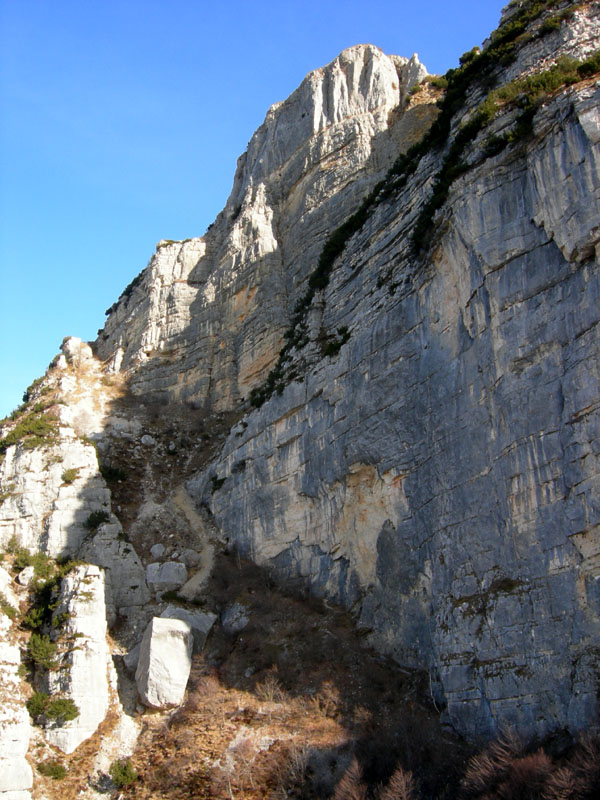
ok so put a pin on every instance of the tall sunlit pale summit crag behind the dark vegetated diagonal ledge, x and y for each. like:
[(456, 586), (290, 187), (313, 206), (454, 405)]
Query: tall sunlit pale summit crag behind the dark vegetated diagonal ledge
[(205, 320)]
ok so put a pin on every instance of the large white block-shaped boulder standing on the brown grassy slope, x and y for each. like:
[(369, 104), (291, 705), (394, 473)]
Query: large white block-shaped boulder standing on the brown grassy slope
[(164, 663)]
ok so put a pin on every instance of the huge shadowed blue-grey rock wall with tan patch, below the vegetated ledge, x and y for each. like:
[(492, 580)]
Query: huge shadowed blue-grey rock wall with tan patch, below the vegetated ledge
[(440, 474)]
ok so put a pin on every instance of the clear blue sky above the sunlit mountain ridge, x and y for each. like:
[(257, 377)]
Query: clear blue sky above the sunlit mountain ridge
[(121, 122)]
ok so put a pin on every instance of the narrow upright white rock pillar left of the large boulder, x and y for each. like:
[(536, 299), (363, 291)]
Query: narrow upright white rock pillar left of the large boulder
[(83, 673)]
